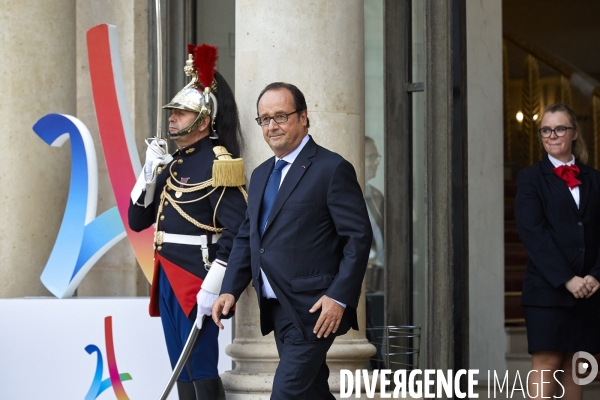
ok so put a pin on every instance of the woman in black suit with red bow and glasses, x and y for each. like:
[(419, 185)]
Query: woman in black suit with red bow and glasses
[(558, 216)]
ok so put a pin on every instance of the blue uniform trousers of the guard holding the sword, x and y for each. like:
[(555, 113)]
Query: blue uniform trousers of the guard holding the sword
[(177, 326)]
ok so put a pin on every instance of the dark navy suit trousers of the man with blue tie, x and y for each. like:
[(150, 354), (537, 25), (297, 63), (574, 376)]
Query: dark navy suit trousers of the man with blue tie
[(302, 372)]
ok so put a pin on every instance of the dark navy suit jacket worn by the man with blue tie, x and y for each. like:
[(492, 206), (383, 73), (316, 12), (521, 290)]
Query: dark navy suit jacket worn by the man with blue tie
[(316, 242)]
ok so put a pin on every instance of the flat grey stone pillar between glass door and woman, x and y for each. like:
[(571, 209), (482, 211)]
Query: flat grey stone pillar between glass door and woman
[(486, 190)]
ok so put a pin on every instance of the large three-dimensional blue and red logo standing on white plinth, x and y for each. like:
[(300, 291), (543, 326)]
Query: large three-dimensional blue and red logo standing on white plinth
[(84, 236)]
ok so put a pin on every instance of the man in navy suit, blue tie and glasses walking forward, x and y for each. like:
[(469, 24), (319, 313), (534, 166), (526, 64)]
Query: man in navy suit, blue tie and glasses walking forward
[(304, 245)]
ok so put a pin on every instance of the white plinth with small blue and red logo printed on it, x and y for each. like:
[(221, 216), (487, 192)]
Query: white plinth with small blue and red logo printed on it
[(52, 349)]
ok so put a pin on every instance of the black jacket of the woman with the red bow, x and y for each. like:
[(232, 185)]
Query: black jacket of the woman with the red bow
[(562, 241)]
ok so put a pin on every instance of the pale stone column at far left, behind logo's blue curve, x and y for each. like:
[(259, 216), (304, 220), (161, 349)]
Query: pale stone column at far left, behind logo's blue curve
[(37, 77)]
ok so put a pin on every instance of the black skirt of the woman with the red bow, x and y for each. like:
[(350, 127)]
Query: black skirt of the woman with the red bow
[(564, 329)]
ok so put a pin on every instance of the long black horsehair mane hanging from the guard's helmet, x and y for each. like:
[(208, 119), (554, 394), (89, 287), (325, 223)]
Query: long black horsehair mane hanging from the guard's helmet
[(227, 123)]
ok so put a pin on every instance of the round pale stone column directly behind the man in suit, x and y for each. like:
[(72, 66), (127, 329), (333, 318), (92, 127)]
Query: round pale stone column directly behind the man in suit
[(318, 47)]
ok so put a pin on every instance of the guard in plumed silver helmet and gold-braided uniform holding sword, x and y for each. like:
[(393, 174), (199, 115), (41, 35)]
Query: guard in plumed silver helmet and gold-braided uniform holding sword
[(196, 200)]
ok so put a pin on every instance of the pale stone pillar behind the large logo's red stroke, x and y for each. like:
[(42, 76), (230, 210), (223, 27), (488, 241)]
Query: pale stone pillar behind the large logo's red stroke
[(117, 272)]
